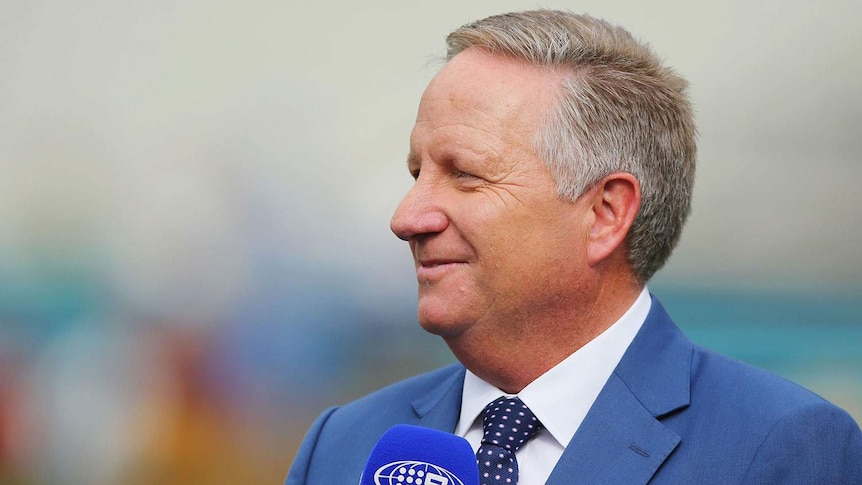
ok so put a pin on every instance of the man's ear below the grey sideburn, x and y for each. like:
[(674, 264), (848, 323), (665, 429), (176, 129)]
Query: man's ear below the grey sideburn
[(615, 203)]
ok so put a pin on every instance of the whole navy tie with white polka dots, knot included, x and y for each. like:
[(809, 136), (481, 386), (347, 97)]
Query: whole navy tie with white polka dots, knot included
[(508, 423)]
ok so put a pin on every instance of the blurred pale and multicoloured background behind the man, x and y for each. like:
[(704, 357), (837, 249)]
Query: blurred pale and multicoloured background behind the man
[(195, 257)]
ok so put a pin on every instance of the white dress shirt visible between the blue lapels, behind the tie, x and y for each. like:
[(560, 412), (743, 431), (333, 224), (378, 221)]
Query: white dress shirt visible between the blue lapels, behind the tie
[(560, 398)]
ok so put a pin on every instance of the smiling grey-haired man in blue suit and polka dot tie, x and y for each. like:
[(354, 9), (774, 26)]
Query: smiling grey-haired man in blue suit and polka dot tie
[(554, 162)]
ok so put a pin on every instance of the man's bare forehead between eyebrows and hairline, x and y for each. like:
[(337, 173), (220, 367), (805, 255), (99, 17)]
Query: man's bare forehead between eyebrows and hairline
[(484, 100)]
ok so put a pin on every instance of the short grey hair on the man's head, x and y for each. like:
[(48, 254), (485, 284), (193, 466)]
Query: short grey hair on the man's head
[(619, 110)]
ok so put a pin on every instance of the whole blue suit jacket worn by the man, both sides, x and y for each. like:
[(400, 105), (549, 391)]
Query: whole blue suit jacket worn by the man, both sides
[(671, 412)]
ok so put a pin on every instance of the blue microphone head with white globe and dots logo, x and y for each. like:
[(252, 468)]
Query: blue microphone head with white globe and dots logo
[(412, 455)]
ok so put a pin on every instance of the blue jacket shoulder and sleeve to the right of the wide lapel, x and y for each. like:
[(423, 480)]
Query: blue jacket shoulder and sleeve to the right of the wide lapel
[(766, 428)]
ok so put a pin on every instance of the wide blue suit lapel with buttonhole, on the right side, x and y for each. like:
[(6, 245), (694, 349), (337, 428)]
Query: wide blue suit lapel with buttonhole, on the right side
[(621, 440)]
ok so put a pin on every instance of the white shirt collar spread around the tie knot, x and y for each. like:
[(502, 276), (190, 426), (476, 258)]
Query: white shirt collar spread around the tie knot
[(561, 397)]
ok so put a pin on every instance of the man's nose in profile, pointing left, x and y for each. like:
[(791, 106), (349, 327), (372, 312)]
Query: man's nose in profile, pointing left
[(419, 212)]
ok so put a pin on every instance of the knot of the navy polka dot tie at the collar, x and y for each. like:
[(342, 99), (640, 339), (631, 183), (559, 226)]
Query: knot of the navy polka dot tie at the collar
[(508, 423)]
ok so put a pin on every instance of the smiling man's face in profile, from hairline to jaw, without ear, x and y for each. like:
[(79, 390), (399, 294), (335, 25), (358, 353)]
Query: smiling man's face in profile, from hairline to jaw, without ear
[(494, 246)]
